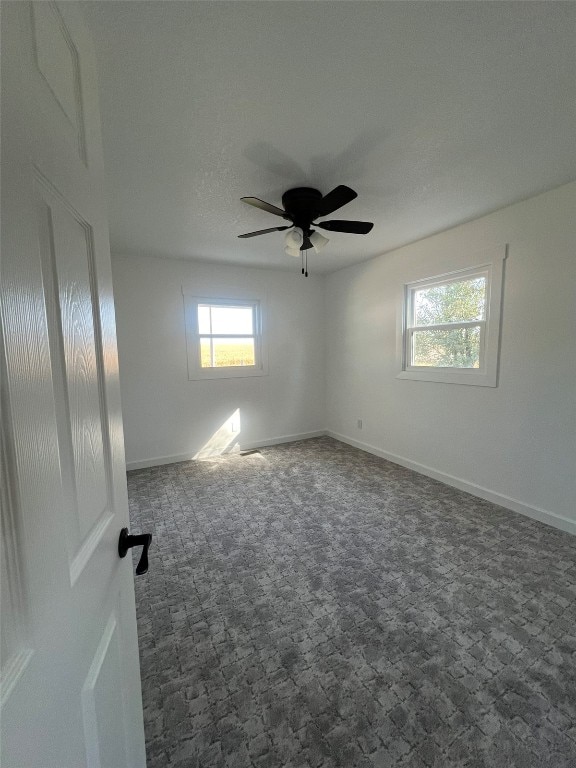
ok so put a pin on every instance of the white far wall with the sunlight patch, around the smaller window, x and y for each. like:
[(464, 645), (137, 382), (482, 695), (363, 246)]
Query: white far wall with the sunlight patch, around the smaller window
[(166, 416)]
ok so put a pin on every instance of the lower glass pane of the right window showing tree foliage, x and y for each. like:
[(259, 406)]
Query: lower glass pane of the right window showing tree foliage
[(455, 348)]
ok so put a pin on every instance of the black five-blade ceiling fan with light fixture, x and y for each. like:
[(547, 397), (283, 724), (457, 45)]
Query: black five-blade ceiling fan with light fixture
[(302, 206)]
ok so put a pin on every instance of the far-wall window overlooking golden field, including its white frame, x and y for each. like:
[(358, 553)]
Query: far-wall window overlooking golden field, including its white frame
[(224, 338)]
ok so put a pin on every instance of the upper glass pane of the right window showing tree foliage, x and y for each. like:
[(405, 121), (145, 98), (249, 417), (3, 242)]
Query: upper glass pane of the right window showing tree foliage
[(450, 303)]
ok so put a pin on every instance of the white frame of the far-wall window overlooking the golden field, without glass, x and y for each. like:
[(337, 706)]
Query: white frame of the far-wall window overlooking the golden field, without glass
[(195, 370)]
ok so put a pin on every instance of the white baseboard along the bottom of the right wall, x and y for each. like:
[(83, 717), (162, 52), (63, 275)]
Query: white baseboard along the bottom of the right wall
[(542, 515)]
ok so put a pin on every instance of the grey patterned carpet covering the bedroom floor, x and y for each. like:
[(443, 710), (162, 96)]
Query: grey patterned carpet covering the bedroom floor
[(313, 605)]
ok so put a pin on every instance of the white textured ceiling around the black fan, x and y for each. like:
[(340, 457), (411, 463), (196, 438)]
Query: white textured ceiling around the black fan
[(434, 112)]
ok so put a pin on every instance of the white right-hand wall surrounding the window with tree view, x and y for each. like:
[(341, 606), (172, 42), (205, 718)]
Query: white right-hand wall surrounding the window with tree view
[(514, 444)]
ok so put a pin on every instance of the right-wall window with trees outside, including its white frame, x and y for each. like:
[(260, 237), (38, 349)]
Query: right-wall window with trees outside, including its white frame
[(450, 327)]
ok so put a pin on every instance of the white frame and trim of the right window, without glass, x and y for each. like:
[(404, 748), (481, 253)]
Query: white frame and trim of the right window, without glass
[(486, 375)]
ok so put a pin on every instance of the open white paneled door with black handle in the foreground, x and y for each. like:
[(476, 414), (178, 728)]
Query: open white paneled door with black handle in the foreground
[(70, 674)]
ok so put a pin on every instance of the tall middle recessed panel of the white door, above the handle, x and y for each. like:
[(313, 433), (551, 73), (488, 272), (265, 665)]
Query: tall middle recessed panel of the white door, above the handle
[(66, 247)]
